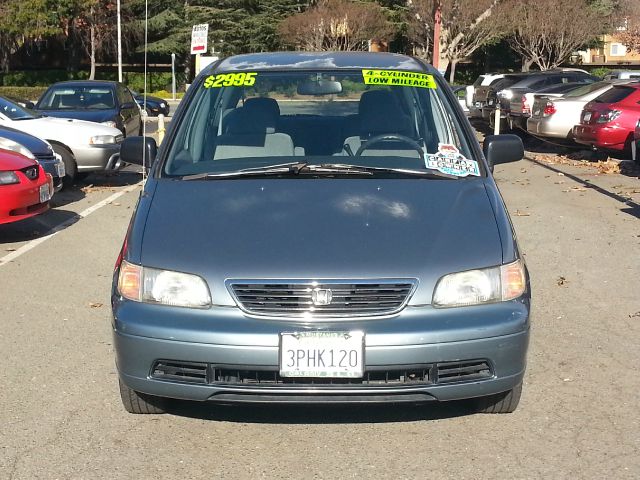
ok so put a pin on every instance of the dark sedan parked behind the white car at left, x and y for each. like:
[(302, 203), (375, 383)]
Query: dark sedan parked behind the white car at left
[(109, 103)]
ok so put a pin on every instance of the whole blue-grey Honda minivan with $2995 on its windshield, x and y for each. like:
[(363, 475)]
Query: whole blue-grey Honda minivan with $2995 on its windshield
[(349, 252)]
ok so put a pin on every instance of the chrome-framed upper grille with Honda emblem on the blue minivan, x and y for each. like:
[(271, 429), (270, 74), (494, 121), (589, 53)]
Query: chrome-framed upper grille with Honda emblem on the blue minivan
[(322, 299)]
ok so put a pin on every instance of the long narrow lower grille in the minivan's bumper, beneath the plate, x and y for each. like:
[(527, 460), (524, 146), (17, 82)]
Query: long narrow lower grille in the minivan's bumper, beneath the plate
[(423, 374)]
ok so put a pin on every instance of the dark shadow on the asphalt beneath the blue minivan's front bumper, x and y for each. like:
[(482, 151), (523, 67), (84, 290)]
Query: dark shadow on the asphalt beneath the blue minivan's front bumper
[(320, 414)]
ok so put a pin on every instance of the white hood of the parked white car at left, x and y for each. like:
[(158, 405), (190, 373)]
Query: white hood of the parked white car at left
[(68, 131)]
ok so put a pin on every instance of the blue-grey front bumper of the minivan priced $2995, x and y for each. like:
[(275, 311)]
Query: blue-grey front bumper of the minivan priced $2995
[(226, 340)]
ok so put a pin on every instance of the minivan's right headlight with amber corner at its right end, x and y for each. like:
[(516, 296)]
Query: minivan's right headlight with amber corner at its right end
[(473, 287)]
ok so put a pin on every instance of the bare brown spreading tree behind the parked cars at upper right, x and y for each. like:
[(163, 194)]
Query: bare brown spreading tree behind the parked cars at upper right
[(547, 32)]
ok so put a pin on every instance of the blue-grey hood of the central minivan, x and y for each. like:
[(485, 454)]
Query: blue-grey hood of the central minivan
[(321, 229)]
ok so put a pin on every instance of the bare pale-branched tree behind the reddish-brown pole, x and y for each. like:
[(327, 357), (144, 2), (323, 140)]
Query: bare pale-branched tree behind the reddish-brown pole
[(465, 27)]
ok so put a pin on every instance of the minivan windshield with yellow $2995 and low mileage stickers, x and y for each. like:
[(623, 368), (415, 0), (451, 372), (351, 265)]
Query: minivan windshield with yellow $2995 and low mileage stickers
[(370, 118)]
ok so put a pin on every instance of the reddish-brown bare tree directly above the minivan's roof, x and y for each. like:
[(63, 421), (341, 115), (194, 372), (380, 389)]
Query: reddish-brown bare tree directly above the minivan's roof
[(336, 25)]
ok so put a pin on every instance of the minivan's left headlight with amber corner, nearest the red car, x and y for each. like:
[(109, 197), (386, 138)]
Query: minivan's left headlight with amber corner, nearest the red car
[(150, 285)]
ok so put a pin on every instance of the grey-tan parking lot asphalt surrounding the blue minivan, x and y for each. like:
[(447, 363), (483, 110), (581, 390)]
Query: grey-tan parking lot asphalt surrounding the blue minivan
[(61, 417)]
